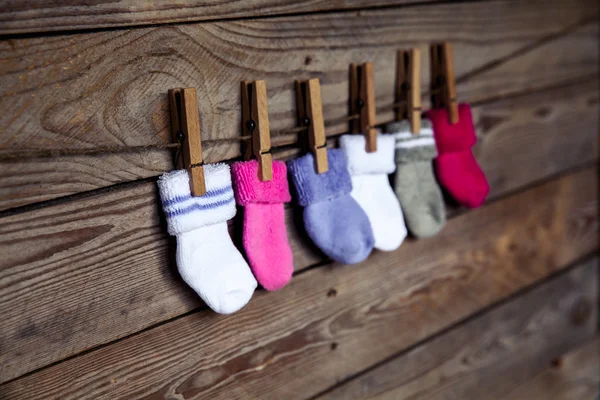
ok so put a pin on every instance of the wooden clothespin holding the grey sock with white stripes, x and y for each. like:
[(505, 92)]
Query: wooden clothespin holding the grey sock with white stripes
[(408, 88)]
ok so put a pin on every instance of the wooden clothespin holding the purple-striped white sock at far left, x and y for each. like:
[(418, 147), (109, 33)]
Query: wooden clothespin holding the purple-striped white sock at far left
[(185, 127)]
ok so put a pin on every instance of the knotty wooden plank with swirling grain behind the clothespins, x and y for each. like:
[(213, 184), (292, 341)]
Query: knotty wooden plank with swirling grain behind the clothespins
[(109, 88)]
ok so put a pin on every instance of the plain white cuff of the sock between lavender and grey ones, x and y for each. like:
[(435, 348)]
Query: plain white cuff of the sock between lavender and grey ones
[(361, 162)]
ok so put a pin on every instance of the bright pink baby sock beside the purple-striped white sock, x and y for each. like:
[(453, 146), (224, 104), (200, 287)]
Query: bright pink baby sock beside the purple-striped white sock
[(264, 235)]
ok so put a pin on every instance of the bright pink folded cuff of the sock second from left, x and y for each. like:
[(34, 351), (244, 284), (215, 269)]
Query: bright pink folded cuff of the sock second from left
[(250, 189)]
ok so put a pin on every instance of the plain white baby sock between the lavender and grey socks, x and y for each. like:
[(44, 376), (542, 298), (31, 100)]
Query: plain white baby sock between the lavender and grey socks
[(371, 188)]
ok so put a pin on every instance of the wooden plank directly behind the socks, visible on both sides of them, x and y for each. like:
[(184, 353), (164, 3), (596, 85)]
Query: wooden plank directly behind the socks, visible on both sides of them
[(114, 244)]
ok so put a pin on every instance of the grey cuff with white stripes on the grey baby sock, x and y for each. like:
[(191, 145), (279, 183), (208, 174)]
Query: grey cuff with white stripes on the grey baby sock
[(413, 148)]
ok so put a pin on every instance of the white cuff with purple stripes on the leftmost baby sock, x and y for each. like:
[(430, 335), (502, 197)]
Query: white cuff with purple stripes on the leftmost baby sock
[(184, 212)]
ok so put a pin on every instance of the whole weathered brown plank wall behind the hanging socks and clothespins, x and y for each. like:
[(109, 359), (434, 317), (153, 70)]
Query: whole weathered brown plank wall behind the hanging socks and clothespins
[(502, 304)]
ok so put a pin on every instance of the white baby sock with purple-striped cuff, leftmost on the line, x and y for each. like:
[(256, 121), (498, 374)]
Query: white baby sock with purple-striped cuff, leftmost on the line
[(206, 258)]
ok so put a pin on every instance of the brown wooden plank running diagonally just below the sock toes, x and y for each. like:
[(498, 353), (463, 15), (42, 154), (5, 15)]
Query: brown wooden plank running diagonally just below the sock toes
[(326, 321)]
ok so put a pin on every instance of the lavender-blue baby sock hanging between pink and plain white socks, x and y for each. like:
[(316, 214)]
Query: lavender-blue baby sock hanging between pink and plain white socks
[(332, 218)]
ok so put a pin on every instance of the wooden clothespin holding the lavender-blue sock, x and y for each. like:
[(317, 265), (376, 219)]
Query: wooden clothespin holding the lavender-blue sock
[(310, 114)]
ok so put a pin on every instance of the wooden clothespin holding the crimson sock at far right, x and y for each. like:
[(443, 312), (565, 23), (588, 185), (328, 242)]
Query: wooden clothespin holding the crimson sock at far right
[(443, 85)]
